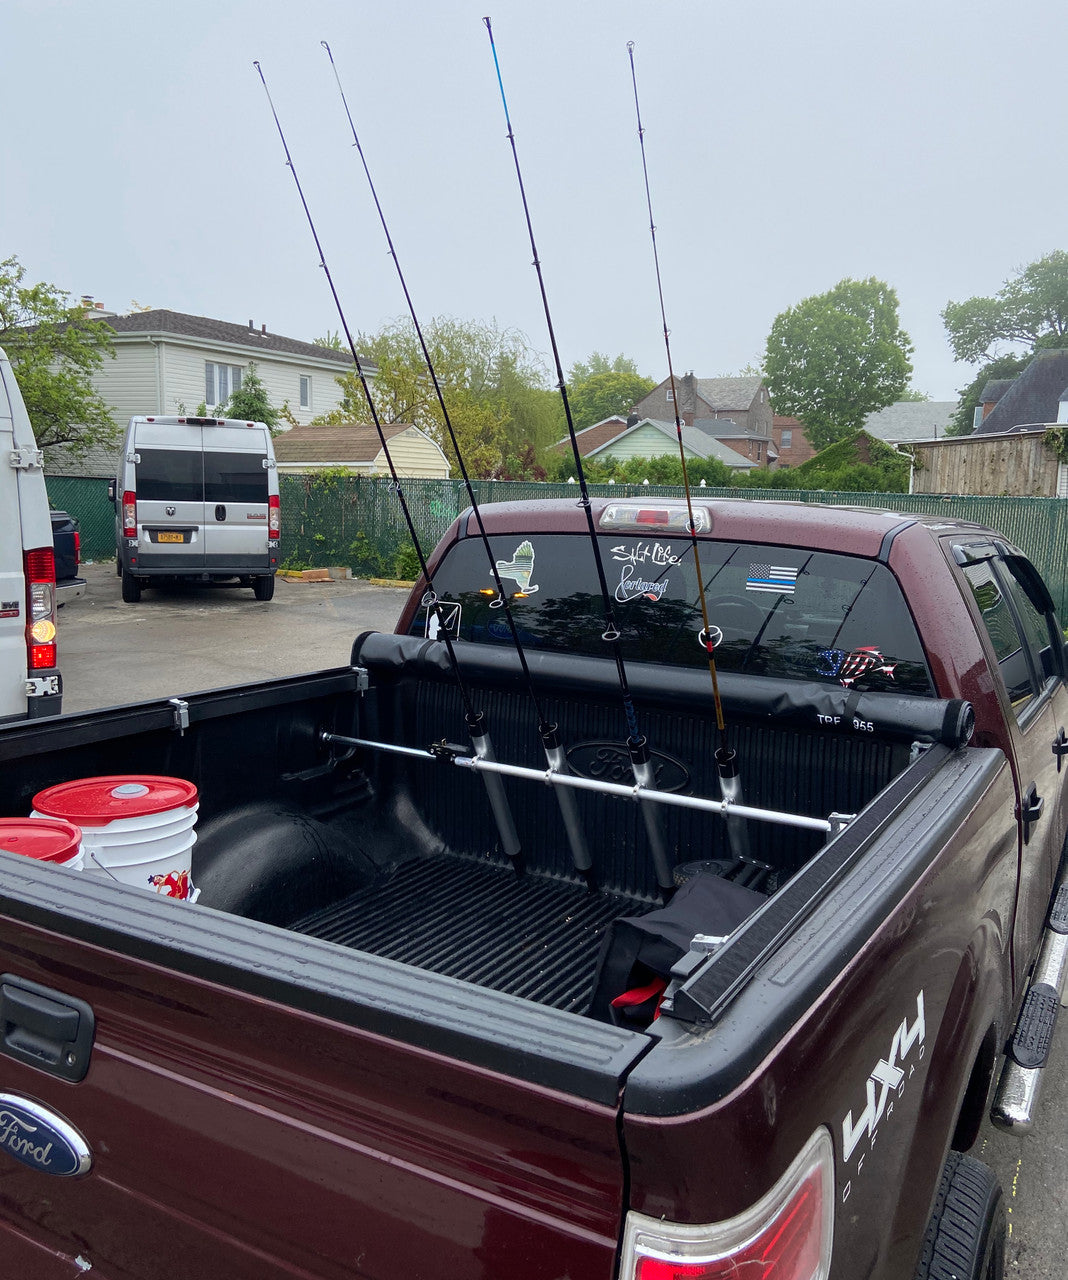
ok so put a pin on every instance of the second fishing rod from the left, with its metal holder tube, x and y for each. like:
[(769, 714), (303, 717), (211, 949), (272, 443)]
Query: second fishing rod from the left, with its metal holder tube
[(547, 732)]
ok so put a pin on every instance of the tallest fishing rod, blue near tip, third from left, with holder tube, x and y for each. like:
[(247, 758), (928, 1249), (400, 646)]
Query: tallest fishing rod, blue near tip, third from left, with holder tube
[(637, 743)]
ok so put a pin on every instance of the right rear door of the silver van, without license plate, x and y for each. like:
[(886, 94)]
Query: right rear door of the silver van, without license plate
[(236, 491)]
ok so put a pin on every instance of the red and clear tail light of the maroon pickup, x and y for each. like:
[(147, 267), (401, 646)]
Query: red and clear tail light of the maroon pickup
[(787, 1236)]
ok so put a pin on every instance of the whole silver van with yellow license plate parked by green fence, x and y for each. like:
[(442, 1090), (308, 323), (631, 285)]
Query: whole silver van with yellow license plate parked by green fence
[(197, 501)]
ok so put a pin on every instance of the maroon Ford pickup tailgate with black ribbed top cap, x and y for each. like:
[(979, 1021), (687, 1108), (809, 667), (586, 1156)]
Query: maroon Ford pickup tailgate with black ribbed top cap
[(262, 1105)]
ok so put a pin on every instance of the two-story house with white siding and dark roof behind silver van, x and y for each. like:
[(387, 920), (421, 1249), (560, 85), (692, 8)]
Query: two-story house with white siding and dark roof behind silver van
[(170, 363)]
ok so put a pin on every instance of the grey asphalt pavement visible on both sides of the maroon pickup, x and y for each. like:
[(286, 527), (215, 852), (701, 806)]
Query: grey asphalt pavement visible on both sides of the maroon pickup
[(190, 639)]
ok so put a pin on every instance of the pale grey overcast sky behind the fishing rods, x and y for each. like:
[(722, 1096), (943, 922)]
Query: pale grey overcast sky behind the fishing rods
[(789, 144)]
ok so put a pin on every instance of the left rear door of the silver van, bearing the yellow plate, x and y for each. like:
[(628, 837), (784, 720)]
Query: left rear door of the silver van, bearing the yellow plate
[(170, 486)]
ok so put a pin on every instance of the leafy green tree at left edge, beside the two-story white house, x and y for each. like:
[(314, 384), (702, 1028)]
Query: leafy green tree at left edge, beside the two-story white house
[(56, 349)]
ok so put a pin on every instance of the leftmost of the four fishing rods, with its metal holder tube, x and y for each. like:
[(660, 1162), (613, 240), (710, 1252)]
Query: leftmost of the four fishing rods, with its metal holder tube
[(476, 720)]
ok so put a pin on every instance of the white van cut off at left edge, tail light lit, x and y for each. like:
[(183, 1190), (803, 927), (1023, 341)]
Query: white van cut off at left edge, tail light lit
[(30, 680)]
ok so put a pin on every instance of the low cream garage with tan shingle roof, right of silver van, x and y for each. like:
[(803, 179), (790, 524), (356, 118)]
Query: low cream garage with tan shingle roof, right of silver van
[(358, 449)]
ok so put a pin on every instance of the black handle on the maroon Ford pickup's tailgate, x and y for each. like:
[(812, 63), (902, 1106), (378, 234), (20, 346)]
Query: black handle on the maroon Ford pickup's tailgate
[(45, 1028)]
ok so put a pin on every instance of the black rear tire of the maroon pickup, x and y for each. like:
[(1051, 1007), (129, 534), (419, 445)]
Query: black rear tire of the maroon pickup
[(966, 1237)]
